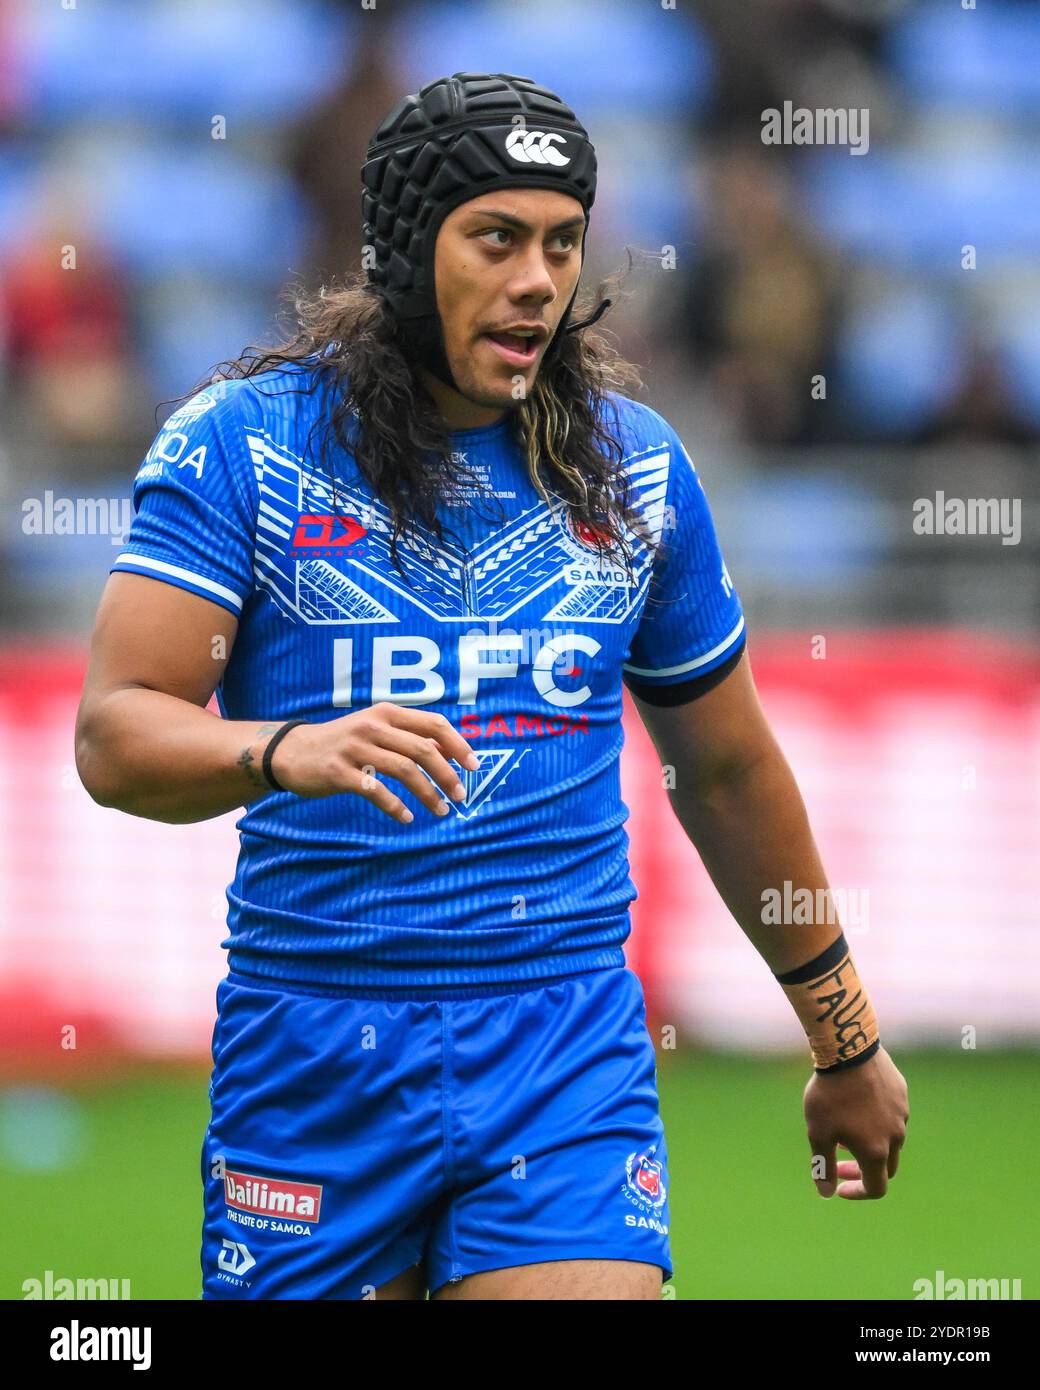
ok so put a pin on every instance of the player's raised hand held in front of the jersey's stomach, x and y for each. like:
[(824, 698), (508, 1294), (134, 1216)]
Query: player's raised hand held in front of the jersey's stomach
[(351, 754)]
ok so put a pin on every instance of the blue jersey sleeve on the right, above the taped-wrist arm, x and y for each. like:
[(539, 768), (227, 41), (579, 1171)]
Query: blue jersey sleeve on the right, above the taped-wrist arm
[(692, 632)]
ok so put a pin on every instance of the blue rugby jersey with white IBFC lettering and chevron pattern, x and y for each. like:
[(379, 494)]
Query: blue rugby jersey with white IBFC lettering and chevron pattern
[(512, 629)]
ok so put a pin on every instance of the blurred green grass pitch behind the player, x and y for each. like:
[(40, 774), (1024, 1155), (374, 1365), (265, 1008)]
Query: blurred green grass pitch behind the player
[(122, 1197)]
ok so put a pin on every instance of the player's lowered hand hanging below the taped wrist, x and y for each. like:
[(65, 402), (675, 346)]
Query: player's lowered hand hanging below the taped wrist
[(864, 1110)]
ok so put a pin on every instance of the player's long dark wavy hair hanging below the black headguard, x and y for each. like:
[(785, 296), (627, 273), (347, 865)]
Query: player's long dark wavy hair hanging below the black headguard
[(346, 343)]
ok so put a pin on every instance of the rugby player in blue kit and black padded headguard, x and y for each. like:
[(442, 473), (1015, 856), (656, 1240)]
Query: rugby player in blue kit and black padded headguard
[(418, 551)]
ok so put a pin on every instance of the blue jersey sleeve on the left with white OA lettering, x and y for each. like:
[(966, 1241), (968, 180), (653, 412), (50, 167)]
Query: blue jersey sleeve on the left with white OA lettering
[(197, 501)]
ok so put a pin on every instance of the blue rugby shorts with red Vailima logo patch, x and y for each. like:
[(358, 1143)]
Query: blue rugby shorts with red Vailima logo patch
[(355, 1138)]
